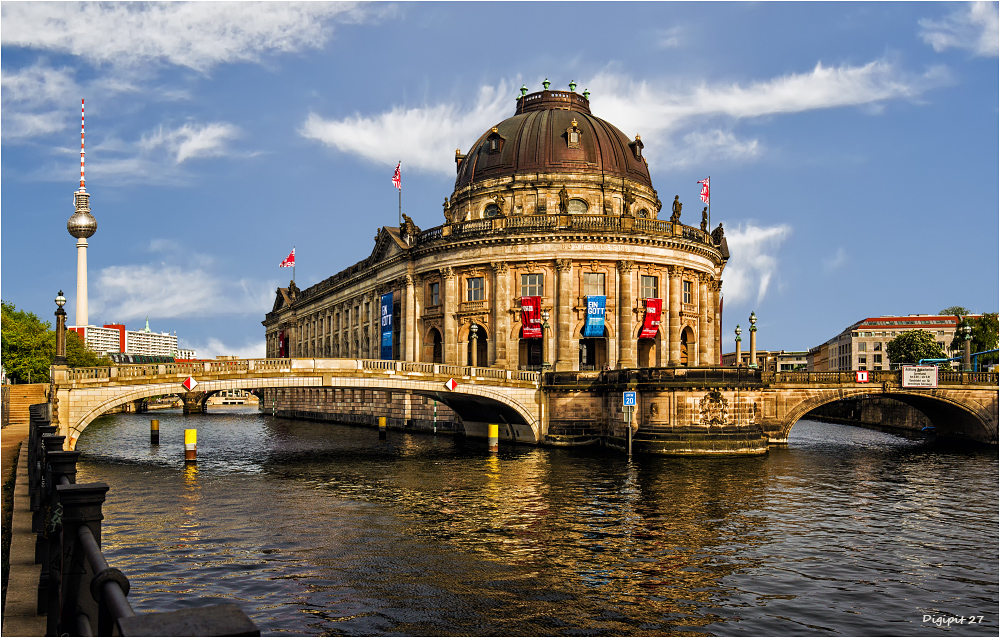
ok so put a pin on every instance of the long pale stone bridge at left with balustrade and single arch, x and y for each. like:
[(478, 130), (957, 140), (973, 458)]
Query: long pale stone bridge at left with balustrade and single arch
[(480, 395)]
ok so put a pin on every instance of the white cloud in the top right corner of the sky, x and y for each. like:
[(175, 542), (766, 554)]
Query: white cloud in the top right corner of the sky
[(973, 28)]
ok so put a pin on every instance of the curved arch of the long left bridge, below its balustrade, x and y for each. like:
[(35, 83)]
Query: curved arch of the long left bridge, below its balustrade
[(472, 402)]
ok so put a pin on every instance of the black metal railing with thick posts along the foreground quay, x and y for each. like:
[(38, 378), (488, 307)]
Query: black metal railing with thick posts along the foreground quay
[(78, 591)]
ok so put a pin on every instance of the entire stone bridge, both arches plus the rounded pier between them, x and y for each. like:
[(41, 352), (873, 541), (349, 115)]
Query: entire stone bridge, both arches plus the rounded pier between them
[(675, 405)]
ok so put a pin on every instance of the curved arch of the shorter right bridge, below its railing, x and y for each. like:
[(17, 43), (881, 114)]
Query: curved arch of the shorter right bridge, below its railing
[(966, 418)]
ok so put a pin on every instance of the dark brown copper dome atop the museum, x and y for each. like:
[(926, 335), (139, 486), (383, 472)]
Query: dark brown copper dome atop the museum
[(536, 140)]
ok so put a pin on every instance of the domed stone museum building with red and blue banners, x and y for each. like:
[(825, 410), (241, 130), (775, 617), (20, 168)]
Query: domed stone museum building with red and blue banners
[(555, 251)]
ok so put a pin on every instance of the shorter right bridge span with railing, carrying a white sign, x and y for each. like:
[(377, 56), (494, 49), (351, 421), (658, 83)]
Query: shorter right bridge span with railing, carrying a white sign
[(964, 412)]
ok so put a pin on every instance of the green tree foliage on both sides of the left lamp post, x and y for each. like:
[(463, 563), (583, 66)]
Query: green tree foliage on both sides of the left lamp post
[(29, 345)]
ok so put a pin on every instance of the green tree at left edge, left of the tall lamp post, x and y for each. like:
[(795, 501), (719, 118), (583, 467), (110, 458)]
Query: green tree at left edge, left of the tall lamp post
[(28, 345)]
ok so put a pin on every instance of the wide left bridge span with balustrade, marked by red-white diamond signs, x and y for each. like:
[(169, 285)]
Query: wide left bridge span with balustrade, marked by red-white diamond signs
[(474, 398)]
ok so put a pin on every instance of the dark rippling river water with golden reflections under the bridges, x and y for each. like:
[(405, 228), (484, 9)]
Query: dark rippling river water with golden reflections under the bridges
[(323, 529)]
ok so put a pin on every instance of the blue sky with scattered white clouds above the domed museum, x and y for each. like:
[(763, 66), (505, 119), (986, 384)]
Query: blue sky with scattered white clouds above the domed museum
[(853, 147)]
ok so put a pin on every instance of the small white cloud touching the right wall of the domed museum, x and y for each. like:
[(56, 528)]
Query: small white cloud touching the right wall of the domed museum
[(754, 260)]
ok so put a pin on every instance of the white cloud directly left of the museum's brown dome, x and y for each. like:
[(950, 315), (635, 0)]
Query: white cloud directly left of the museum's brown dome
[(424, 138)]
